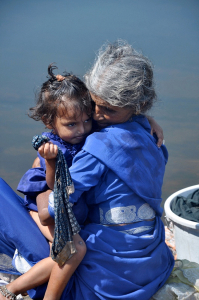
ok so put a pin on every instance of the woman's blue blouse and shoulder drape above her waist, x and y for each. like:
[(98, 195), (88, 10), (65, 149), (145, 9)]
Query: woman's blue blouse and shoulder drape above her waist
[(118, 164)]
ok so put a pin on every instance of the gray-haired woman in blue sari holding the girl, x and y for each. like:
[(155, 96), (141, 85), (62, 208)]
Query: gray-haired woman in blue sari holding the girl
[(120, 170)]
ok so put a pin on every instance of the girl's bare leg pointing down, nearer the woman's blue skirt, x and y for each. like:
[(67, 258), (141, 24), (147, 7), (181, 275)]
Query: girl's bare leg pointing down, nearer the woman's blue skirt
[(60, 275)]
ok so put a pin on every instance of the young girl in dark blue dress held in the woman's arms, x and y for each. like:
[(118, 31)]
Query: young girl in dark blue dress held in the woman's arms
[(64, 106)]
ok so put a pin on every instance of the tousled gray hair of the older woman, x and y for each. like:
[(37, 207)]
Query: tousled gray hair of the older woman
[(122, 77)]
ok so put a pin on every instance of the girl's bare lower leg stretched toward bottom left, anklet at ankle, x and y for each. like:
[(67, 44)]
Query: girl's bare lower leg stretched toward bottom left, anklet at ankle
[(36, 276)]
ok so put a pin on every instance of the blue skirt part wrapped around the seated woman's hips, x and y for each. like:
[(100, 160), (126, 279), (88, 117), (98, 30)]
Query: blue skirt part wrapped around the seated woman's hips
[(121, 266)]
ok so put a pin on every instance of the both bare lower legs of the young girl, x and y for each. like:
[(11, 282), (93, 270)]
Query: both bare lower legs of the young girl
[(47, 268)]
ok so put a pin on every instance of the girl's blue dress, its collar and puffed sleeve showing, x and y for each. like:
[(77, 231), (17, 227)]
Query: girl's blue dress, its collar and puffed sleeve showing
[(33, 181)]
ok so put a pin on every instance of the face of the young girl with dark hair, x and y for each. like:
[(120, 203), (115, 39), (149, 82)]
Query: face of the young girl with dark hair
[(72, 127)]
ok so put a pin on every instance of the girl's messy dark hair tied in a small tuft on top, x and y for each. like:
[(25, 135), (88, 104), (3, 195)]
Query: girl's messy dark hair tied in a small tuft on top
[(67, 90)]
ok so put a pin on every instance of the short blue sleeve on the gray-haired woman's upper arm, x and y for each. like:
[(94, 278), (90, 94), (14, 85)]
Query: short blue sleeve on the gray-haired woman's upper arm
[(86, 172)]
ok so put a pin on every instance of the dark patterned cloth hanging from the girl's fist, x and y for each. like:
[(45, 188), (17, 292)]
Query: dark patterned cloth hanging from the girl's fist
[(66, 224)]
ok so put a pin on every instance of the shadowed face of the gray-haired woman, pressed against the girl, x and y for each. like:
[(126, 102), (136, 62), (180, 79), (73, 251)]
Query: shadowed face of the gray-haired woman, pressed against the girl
[(106, 114)]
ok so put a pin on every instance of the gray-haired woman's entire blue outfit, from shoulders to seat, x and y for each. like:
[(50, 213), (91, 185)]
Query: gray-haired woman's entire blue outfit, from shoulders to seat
[(120, 172)]
